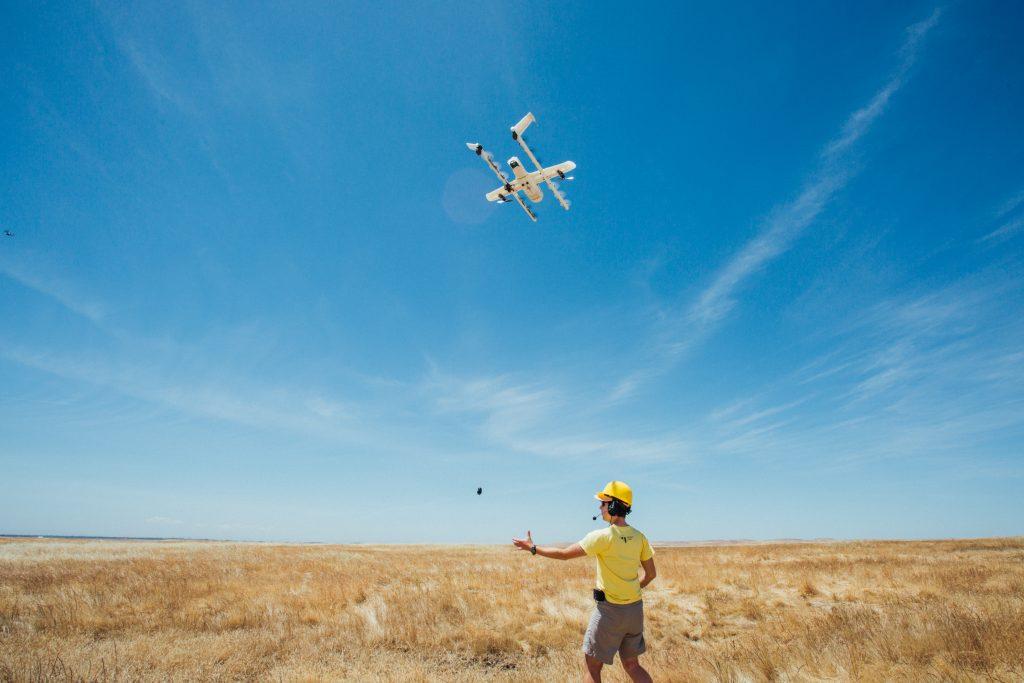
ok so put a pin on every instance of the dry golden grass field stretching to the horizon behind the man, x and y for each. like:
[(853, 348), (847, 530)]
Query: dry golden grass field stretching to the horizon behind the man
[(113, 611)]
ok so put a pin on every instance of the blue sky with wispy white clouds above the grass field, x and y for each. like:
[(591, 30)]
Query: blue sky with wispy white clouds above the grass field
[(255, 292)]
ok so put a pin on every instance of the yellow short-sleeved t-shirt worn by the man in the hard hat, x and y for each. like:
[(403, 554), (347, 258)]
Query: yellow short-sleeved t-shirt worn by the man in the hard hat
[(619, 551)]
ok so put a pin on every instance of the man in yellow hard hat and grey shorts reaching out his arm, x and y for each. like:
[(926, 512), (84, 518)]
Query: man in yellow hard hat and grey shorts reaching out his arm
[(617, 624)]
